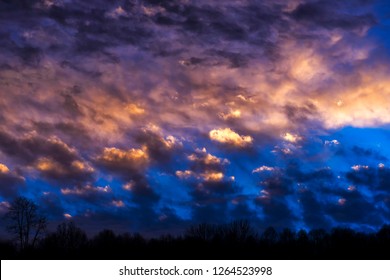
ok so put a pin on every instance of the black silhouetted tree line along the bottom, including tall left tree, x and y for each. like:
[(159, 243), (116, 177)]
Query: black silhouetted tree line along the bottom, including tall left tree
[(235, 240)]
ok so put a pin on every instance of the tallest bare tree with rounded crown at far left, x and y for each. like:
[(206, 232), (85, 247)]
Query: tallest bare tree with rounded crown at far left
[(24, 222)]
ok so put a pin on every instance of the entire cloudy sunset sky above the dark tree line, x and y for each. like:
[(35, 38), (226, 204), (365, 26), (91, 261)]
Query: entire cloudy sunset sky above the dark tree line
[(150, 116)]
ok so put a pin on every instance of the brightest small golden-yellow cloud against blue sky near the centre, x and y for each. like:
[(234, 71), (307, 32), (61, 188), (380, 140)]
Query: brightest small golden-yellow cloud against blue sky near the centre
[(228, 136)]
